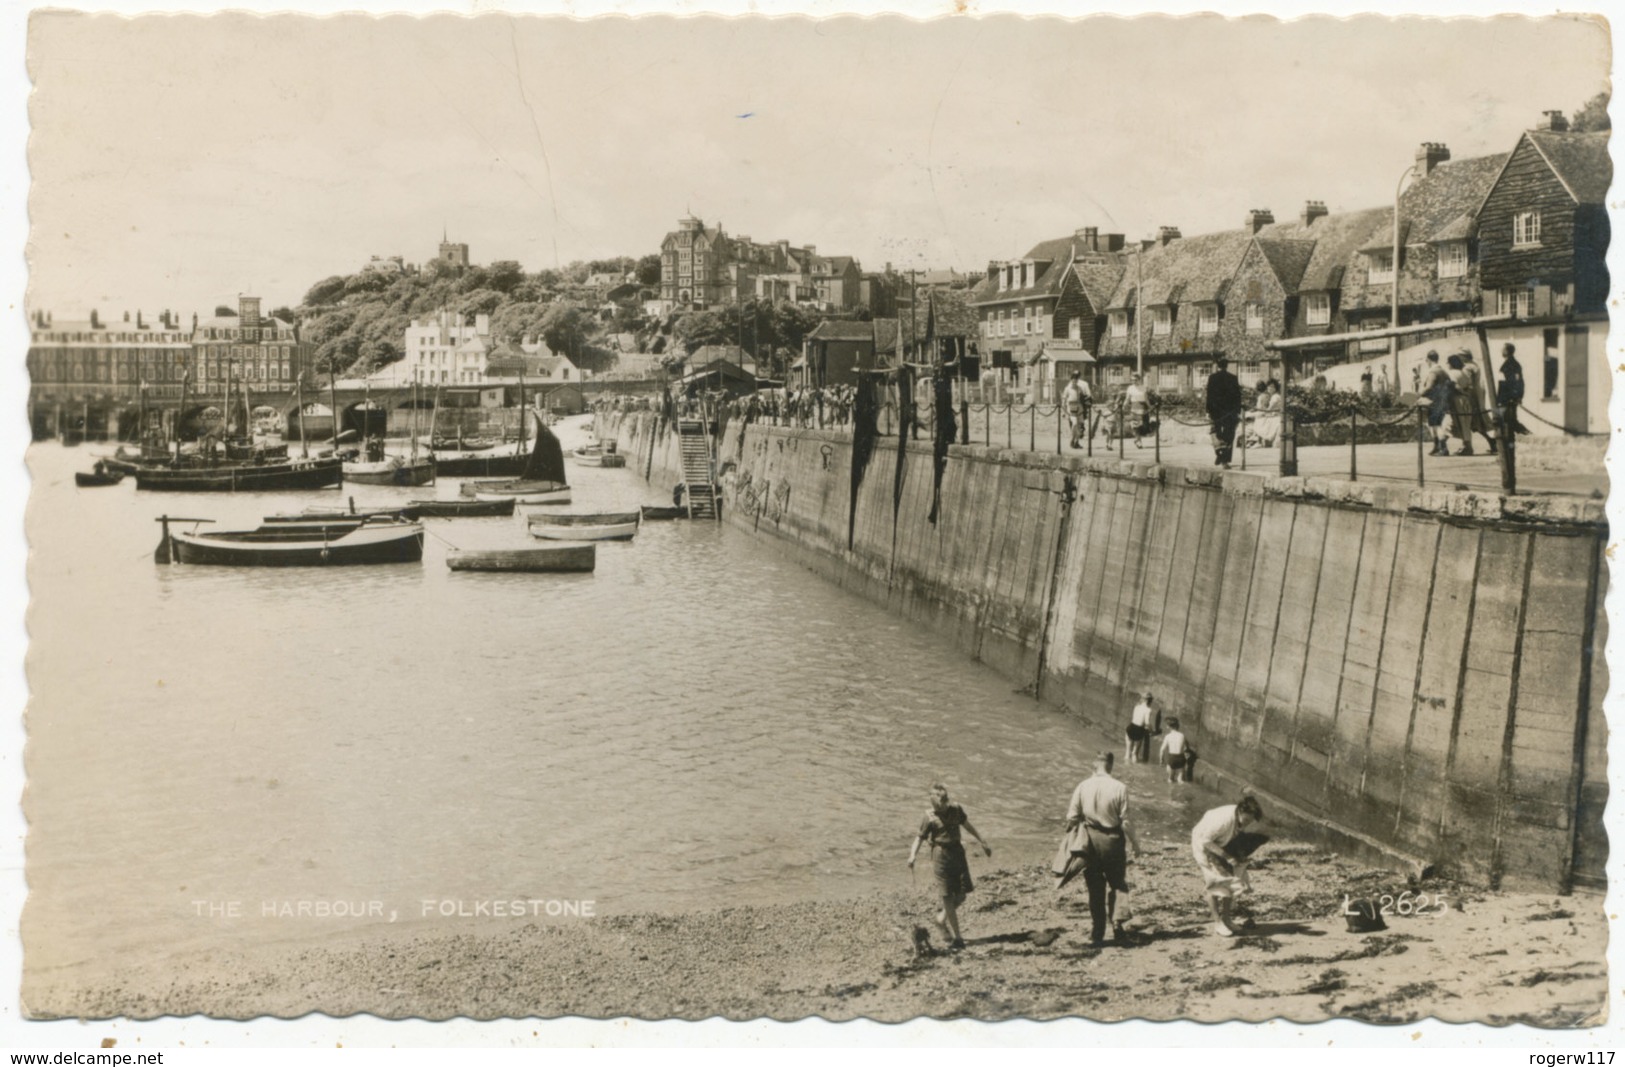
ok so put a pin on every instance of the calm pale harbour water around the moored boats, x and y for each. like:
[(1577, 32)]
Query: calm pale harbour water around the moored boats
[(700, 724)]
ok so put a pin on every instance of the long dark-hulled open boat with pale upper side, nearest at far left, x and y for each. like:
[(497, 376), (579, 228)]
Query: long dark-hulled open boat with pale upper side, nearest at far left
[(314, 545)]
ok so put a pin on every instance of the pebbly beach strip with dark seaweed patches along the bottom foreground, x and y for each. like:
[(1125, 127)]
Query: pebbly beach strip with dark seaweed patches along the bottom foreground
[(1483, 957)]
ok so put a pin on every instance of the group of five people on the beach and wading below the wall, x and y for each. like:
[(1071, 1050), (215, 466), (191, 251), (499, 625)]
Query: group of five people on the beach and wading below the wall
[(1099, 839)]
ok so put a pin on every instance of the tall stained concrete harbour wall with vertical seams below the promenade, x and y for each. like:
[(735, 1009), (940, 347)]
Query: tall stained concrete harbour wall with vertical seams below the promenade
[(1419, 673)]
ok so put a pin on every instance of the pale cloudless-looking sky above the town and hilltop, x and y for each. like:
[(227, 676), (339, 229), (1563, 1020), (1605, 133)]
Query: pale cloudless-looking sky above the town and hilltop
[(180, 162)]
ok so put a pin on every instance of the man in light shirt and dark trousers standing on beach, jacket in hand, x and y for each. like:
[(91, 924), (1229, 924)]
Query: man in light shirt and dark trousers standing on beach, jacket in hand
[(1096, 832)]
